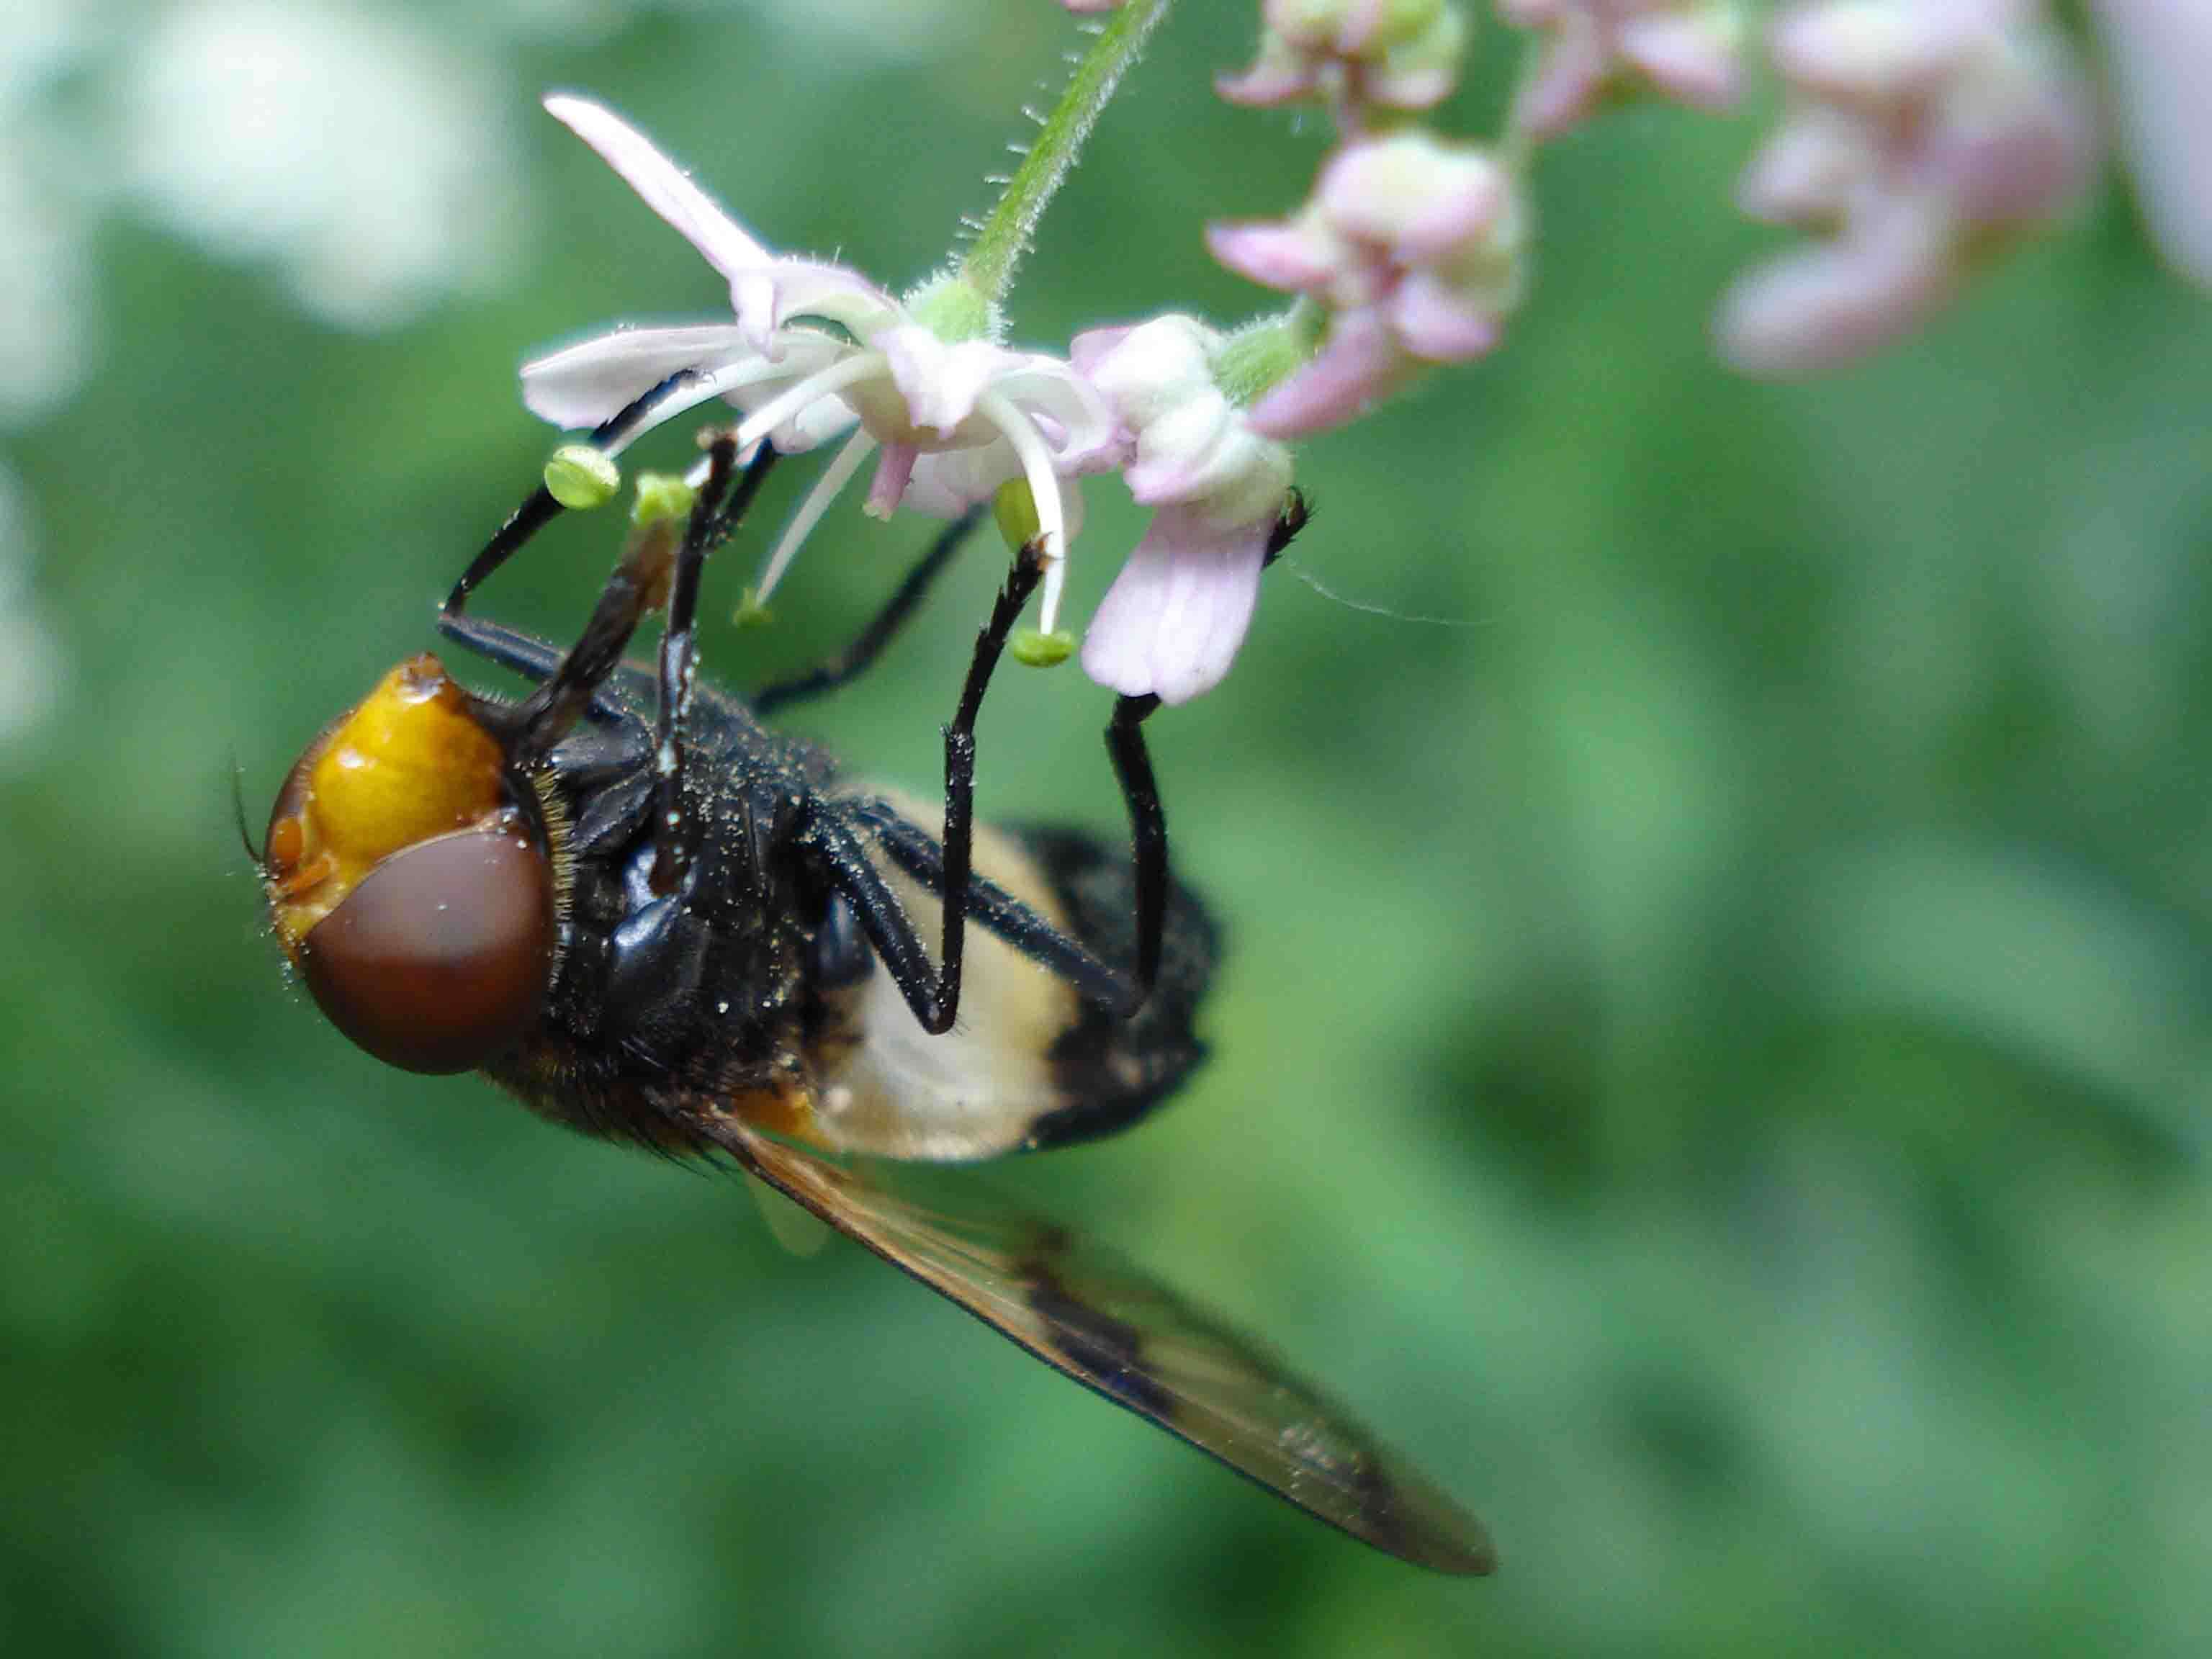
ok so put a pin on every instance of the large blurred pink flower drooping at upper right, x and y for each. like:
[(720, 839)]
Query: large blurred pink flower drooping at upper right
[(1923, 136)]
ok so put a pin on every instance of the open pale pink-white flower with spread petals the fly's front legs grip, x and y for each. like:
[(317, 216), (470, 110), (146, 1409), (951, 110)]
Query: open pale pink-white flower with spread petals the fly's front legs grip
[(952, 417)]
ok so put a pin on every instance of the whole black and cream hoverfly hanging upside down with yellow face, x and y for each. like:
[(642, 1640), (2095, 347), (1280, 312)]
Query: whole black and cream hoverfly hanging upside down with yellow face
[(658, 921)]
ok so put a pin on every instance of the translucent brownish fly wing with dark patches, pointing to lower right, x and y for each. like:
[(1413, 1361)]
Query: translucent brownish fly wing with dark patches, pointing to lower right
[(1116, 1331)]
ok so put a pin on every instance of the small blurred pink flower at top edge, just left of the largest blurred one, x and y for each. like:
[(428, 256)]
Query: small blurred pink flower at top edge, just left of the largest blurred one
[(1682, 50)]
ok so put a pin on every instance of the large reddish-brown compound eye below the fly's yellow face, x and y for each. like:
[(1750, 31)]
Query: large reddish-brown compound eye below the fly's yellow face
[(439, 959)]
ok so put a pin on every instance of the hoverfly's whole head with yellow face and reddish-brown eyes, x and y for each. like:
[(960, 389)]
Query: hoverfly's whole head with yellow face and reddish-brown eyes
[(415, 899)]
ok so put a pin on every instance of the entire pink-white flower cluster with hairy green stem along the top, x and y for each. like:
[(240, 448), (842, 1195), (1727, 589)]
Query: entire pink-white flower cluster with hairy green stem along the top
[(1919, 138)]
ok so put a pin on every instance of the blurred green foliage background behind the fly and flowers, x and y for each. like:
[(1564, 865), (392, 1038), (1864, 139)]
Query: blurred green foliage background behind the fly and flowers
[(1715, 1045)]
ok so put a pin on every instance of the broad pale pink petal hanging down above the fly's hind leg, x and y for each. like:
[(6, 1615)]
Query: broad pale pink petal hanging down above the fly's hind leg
[(1176, 616)]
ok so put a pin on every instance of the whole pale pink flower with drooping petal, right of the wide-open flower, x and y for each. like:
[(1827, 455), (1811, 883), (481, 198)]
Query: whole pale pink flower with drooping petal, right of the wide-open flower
[(1176, 616)]
